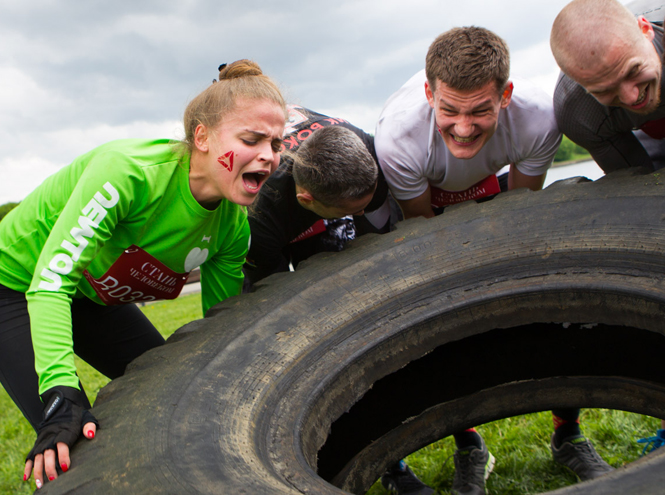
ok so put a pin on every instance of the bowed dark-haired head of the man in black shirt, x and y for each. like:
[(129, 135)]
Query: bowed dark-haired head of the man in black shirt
[(335, 174)]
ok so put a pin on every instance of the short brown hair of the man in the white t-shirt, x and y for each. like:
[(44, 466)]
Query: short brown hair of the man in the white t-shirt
[(467, 58)]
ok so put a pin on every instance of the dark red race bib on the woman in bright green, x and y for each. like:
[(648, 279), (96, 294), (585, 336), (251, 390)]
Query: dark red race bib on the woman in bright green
[(136, 277)]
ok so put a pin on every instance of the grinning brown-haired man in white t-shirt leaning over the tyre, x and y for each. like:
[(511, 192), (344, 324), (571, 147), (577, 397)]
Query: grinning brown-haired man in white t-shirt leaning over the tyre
[(439, 146)]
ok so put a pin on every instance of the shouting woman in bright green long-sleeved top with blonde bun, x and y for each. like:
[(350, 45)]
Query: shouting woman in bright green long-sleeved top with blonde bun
[(126, 223)]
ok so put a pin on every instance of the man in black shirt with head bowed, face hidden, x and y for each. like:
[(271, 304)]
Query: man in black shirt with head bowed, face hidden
[(327, 190)]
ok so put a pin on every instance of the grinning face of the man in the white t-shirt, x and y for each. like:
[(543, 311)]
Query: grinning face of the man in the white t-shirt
[(467, 119)]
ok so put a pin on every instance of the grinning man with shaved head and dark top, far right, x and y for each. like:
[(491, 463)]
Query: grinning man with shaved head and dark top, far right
[(608, 98)]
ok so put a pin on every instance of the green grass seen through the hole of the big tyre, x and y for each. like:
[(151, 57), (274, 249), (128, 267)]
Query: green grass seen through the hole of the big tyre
[(521, 447)]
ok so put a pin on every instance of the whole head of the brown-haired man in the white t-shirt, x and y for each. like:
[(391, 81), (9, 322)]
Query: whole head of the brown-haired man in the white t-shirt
[(467, 86)]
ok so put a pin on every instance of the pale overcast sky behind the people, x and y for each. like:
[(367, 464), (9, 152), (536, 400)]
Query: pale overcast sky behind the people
[(75, 74)]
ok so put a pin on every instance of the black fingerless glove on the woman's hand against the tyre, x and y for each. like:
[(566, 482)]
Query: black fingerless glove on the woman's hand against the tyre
[(65, 414)]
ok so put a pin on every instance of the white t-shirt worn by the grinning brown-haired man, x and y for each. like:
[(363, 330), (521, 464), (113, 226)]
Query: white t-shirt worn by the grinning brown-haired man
[(412, 153)]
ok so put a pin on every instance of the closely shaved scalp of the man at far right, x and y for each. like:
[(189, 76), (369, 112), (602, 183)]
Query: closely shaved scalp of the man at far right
[(585, 26)]
